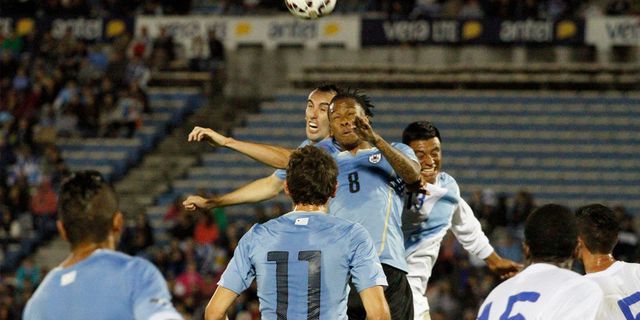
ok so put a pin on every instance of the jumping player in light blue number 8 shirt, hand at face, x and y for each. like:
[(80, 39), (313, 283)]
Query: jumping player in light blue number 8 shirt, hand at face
[(371, 182)]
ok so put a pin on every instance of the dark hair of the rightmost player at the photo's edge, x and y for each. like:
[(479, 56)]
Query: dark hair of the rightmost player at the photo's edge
[(598, 227)]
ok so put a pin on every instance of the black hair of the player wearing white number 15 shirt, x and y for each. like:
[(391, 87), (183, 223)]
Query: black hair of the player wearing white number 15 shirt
[(551, 232)]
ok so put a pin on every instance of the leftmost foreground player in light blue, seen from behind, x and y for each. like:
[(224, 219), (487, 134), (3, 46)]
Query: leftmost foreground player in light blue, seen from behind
[(94, 281)]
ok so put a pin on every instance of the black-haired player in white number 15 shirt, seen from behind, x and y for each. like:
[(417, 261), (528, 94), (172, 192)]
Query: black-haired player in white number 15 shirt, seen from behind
[(546, 289)]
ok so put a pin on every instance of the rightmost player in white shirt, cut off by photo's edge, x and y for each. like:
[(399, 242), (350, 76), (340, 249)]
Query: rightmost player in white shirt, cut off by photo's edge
[(620, 281)]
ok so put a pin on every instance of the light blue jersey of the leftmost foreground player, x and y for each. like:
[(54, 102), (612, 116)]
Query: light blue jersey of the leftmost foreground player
[(106, 285)]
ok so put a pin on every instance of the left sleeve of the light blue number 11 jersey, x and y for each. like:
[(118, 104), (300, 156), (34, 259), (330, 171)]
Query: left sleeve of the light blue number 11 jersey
[(240, 272)]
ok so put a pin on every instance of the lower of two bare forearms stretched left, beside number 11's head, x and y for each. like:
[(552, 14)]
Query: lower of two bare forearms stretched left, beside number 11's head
[(256, 191)]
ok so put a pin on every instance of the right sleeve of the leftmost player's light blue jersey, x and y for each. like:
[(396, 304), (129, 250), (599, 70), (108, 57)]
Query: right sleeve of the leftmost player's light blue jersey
[(151, 298)]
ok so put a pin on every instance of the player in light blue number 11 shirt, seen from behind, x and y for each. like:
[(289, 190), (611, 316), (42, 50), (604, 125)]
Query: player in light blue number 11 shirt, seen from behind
[(303, 259)]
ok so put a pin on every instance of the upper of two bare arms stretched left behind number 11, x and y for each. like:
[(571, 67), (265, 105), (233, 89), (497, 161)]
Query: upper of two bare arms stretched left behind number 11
[(274, 156)]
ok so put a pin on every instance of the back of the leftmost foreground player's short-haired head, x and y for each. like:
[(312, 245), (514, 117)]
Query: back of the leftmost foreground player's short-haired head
[(86, 206)]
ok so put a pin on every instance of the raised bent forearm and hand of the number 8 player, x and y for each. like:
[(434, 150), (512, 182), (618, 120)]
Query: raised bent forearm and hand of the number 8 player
[(406, 168)]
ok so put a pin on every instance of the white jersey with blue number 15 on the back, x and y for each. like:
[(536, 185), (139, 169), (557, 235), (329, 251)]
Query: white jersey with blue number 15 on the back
[(543, 292)]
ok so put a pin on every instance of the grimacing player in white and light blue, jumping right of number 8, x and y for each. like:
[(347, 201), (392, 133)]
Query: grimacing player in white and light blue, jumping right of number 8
[(430, 213)]
